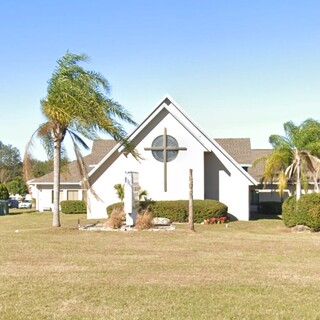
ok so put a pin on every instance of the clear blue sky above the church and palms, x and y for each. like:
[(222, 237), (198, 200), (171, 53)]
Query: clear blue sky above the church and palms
[(238, 68)]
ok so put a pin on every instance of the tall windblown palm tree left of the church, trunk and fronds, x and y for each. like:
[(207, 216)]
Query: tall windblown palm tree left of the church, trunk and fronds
[(77, 104)]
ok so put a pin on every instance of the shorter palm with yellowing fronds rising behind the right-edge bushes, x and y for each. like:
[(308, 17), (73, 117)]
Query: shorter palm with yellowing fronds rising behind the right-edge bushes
[(295, 153)]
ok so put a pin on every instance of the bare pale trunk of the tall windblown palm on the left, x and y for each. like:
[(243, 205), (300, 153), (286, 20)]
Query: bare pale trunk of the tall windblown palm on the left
[(56, 183)]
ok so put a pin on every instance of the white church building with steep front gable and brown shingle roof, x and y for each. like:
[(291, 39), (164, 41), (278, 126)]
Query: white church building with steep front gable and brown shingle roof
[(169, 144)]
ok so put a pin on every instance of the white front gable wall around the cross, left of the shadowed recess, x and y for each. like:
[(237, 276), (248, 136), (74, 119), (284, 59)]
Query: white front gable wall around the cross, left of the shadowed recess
[(151, 171)]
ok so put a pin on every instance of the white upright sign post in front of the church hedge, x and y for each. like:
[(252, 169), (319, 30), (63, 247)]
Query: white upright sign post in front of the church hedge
[(131, 197)]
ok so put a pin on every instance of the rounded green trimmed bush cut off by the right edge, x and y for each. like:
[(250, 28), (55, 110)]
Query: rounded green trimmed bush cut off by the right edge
[(308, 211)]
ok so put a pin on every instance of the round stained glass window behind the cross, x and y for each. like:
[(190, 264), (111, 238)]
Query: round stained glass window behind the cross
[(171, 142)]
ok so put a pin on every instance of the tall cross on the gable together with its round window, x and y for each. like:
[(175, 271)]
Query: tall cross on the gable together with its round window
[(165, 149)]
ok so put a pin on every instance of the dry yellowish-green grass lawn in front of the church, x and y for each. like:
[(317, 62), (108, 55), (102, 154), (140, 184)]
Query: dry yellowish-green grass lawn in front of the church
[(250, 270)]
